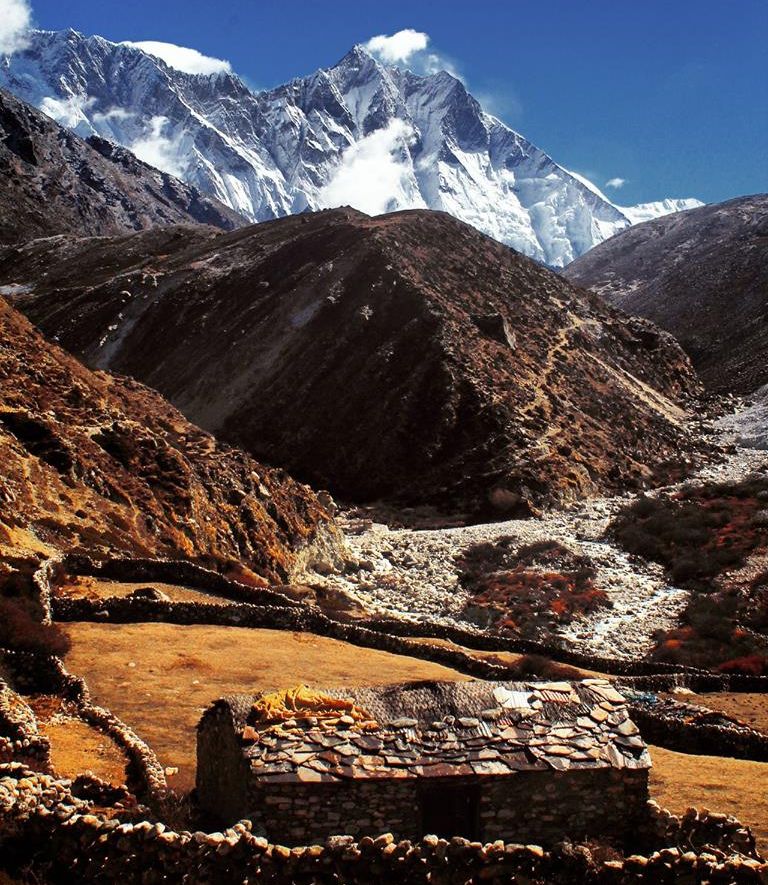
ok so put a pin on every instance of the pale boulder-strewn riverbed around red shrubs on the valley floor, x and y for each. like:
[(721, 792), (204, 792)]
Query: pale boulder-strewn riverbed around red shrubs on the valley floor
[(413, 574)]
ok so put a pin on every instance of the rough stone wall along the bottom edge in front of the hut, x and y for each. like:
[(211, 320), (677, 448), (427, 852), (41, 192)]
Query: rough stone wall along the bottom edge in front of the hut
[(49, 833)]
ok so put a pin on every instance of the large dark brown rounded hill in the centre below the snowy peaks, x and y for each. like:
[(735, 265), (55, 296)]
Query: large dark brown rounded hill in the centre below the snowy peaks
[(405, 357)]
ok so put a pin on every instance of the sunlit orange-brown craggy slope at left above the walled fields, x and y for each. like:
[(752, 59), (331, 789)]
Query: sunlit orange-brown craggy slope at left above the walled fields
[(91, 462)]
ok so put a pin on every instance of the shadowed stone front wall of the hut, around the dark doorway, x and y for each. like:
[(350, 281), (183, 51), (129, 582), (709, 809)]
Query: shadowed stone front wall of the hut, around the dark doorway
[(540, 806)]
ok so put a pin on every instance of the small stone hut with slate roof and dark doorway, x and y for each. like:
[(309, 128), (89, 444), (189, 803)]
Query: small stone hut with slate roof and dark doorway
[(531, 762)]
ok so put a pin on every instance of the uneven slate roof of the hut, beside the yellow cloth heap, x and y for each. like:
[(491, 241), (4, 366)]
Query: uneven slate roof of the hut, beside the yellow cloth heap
[(438, 729)]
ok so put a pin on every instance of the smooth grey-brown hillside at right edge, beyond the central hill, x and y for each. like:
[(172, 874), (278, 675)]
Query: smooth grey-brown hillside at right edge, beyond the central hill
[(703, 276)]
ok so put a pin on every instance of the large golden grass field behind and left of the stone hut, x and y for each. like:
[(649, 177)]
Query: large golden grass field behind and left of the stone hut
[(177, 671)]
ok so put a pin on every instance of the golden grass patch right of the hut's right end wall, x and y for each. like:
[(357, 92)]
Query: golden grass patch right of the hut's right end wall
[(732, 786)]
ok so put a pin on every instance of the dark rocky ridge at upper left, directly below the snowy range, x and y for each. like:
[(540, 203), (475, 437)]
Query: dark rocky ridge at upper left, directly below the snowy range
[(52, 182)]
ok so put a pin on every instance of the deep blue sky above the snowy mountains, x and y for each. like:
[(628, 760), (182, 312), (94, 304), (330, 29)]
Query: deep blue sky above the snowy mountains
[(670, 96)]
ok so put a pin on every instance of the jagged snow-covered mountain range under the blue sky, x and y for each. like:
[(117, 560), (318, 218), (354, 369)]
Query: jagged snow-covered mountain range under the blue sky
[(362, 133)]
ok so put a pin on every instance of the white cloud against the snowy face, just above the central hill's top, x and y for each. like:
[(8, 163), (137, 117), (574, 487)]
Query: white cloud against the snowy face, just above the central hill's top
[(373, 172)]
